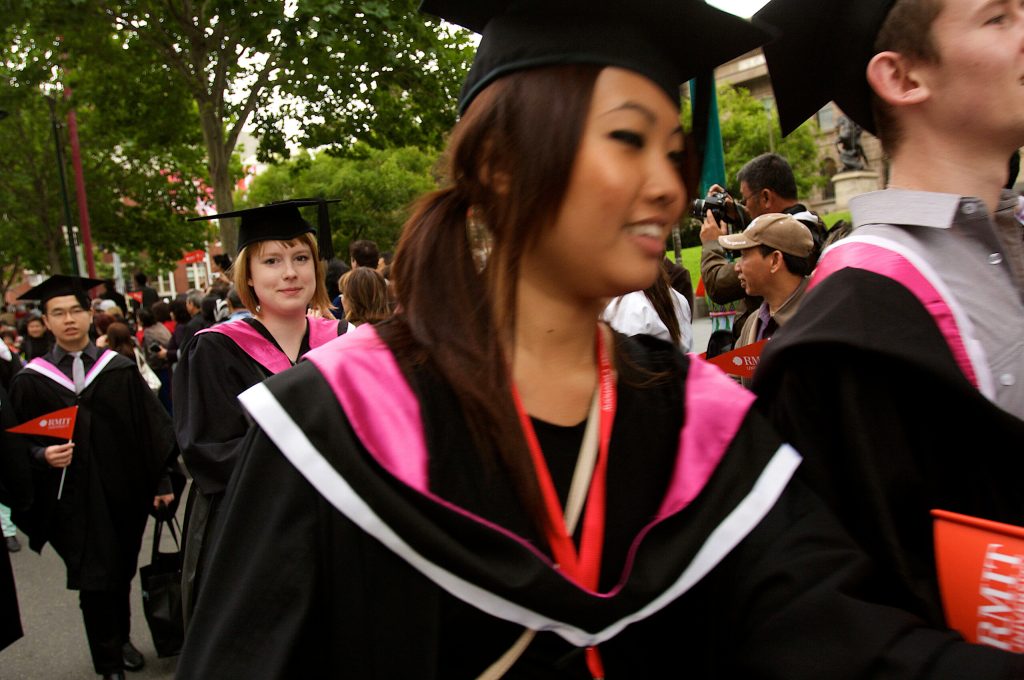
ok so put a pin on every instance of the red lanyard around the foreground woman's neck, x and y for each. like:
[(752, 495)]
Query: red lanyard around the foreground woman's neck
[(585, 567)]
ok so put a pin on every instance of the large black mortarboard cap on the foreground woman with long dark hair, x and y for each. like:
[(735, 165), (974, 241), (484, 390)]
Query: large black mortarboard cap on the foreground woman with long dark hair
[(669, 41)]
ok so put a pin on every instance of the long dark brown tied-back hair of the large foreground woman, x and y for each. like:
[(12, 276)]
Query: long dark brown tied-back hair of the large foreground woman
[(510, 158)]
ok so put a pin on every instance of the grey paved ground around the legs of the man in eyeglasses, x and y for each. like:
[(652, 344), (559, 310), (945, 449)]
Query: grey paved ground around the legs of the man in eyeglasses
[(55, 646)]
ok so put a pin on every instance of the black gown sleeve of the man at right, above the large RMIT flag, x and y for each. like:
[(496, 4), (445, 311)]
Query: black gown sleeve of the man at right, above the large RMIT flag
[(884, 444)]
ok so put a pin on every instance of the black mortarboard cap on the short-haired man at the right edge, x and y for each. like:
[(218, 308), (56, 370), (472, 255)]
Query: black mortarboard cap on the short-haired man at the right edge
[(822, 56)]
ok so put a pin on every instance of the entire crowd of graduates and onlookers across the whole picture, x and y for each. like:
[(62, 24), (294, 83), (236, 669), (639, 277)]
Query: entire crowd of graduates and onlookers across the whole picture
[(493, 457)]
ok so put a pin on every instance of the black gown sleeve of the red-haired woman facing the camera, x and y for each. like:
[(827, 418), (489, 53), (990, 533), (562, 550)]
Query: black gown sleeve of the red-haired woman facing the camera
[(209, 421)]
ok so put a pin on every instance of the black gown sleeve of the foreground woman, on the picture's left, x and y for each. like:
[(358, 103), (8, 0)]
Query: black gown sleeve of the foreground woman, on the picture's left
[(253, 618)]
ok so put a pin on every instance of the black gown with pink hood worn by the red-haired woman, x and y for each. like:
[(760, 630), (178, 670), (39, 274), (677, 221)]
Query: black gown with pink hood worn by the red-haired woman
[(219, 364)]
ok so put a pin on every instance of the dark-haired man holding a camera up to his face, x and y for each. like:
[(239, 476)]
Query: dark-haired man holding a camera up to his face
[(766, 186)]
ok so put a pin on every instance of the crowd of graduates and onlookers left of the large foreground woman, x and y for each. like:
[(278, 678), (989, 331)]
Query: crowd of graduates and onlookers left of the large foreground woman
[(190, 358)]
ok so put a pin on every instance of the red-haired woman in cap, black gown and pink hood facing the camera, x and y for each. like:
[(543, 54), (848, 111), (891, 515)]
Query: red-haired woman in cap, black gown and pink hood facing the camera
[(280, 278)]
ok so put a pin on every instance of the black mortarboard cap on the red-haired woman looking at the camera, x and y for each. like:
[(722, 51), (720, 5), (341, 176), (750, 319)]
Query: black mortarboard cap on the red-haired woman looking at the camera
[(282, 222)]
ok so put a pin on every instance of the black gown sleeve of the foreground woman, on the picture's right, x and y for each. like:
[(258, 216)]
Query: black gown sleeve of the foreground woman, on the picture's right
[(810, 608)]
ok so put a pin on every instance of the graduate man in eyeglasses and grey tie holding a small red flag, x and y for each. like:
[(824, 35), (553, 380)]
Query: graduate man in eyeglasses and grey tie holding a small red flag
[(93, 494)]
